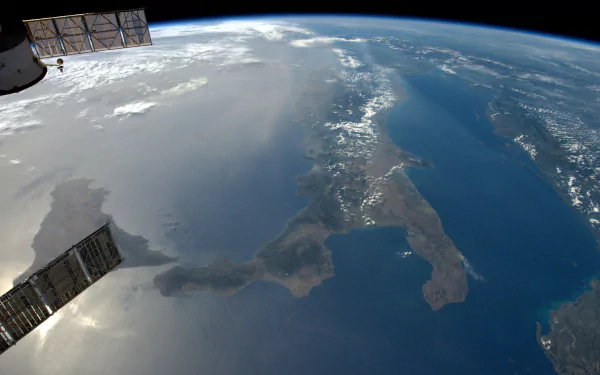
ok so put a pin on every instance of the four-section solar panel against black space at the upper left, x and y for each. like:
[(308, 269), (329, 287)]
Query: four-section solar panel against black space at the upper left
[(90, 32)]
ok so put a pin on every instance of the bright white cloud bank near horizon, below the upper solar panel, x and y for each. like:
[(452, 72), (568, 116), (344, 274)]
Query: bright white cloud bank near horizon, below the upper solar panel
[(105, 70)]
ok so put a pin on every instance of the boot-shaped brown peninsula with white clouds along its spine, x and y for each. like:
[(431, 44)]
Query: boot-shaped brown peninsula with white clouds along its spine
[(358, 180)]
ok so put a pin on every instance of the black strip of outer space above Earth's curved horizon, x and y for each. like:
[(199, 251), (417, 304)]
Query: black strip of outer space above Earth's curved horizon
[(571, 19)]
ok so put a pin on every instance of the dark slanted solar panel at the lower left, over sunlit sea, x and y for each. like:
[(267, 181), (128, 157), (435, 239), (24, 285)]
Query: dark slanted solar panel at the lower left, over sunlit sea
[(34, 300)]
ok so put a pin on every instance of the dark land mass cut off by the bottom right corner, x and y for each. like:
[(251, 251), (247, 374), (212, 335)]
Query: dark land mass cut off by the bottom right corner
[(573, 343)]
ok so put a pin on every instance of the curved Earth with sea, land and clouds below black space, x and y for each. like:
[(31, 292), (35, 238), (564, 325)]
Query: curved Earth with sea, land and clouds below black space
[(314, 195)]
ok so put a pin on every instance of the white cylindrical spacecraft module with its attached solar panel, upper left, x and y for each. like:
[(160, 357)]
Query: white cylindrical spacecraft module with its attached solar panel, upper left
[(21, 51)]
